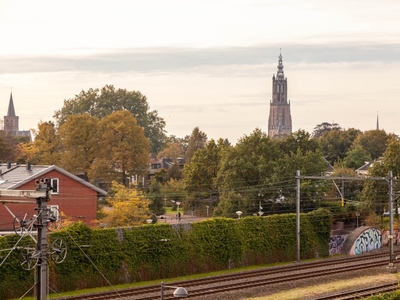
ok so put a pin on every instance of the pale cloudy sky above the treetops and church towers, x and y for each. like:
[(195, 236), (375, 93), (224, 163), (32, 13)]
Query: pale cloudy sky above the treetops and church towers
[(207, 63)]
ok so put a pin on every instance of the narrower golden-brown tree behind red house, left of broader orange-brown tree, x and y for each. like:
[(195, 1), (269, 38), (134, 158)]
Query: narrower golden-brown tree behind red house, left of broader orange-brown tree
[(80, 141)]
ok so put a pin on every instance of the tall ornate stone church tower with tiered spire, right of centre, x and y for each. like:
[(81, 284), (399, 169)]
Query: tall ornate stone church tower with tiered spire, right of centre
[(280, 119)]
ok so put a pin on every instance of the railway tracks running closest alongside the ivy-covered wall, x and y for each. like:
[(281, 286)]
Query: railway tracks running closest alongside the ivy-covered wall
[(250, 279)]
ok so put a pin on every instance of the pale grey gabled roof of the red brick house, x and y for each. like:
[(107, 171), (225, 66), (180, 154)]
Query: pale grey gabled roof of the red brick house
[(14, 176)]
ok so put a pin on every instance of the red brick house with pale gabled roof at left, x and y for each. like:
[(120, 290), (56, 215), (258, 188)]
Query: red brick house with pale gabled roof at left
[(74, 197)]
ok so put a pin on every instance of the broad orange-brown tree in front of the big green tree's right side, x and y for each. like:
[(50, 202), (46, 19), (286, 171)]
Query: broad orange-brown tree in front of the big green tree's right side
[(123, 150)]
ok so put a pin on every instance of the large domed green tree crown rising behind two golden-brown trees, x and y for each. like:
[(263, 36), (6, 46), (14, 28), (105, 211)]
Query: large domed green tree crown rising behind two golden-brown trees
[(101, 103)]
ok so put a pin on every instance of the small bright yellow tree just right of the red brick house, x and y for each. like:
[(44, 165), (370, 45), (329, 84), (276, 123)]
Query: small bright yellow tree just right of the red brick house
[(128, 207)]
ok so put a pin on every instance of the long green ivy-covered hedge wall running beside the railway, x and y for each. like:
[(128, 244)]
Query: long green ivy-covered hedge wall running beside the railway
[(98, 257)]
